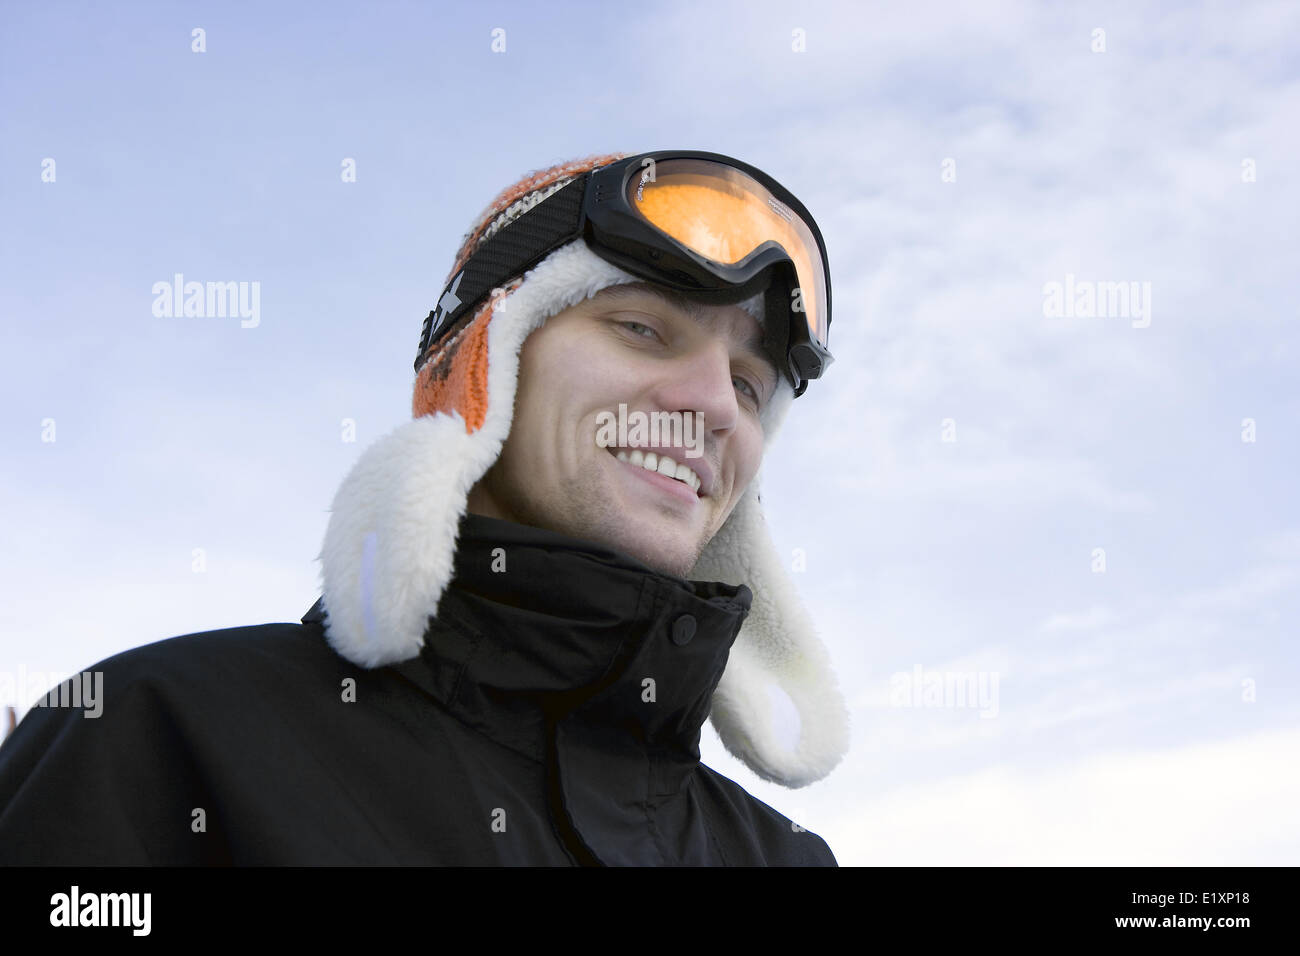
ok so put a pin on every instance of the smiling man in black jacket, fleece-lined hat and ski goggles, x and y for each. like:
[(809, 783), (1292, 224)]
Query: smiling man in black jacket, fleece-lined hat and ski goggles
[(530, 603)]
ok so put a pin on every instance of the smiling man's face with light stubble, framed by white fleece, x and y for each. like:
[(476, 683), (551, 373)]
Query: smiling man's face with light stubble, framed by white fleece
[(629, 345)]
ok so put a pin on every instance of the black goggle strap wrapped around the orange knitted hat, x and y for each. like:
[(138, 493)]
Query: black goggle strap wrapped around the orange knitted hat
[(513, 250)]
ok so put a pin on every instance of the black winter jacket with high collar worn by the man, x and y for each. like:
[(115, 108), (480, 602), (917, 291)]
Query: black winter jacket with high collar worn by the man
[(553, 719)]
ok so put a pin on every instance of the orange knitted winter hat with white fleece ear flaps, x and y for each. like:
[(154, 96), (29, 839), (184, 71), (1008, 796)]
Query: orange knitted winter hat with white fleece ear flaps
[(391, 544)]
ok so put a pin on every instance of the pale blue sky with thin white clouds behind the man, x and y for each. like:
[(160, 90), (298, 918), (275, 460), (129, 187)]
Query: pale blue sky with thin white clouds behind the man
[(1089, 514)]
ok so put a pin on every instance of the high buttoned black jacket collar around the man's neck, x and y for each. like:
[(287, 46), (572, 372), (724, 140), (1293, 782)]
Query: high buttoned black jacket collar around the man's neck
[(538, 626)]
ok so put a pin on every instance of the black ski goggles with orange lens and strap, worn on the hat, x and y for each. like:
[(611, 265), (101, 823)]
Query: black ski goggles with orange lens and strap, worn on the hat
[(709, 227)]
